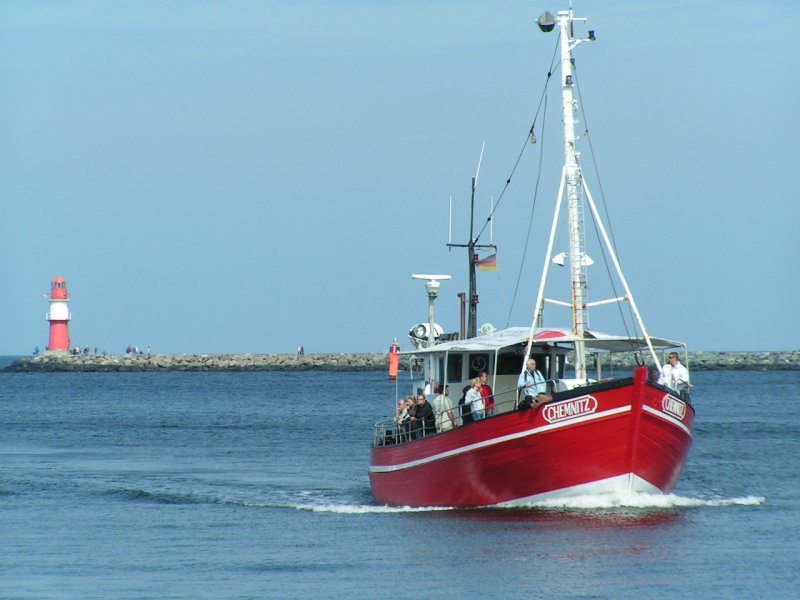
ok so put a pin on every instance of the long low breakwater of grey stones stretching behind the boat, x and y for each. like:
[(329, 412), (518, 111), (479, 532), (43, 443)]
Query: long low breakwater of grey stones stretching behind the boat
[(376, 361)]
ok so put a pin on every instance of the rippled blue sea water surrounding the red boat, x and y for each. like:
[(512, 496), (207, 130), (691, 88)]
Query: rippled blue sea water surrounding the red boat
[(254, 485)]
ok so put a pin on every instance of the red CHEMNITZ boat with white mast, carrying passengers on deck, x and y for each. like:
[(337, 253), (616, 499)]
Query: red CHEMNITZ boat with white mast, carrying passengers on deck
[(586, 433)]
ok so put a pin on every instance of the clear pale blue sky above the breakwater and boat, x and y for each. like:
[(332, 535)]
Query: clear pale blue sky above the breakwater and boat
[(250, 176)]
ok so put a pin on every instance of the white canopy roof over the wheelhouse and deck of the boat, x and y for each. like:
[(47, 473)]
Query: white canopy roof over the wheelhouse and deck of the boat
[(514, 336)]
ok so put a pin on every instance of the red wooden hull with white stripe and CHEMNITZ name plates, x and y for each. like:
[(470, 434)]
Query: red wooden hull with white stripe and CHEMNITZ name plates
[(616, 436)]
